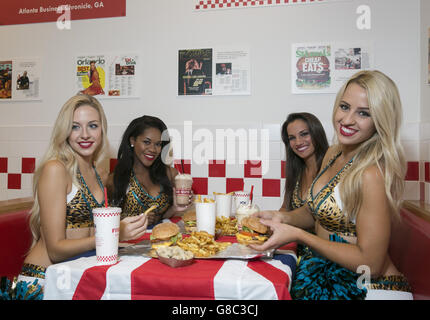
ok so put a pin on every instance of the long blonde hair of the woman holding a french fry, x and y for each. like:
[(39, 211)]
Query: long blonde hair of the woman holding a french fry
[(59, 149)]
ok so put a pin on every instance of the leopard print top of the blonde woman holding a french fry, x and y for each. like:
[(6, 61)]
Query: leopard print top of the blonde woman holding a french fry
[(80, 203)]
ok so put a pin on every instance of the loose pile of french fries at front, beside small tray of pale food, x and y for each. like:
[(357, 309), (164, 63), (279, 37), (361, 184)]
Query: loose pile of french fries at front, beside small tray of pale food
[(202, 244)]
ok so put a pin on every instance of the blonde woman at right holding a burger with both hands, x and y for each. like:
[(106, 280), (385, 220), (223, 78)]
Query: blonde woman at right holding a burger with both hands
[(352, 200)]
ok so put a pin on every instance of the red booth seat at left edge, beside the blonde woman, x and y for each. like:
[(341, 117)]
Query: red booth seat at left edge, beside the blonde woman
[(15, 240)]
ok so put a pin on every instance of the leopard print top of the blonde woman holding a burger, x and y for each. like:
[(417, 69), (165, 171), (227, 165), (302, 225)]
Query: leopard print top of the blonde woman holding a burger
[(326, 206)]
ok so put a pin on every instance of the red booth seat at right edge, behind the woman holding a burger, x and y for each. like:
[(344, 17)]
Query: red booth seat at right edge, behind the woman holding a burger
[(410, 252)]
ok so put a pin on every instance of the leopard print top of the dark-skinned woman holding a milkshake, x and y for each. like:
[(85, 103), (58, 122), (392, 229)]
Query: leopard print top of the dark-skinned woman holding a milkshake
[(138, 200)]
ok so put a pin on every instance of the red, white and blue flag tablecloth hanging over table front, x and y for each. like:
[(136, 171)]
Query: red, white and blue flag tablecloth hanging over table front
[(139, 277)]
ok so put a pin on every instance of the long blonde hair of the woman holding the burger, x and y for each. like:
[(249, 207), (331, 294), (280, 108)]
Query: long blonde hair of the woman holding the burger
[(383, 149)]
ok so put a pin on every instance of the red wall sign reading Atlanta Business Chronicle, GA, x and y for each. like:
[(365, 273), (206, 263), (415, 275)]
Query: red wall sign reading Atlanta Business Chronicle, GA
[(32, 11)]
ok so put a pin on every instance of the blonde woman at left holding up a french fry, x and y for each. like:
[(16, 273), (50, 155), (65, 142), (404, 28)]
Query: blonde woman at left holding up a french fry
[(66, 188)]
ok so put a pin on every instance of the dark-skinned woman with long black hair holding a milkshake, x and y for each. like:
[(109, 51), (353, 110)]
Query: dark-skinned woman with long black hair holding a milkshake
[(141, 178)]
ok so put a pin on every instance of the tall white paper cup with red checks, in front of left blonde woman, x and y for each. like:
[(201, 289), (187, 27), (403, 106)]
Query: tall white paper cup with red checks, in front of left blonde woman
[(106, 222)]
